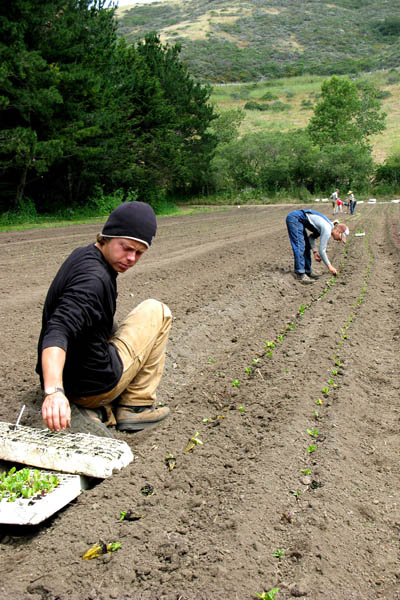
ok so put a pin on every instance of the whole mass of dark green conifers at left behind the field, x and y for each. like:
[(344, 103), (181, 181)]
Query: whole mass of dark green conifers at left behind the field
[(82, 112)]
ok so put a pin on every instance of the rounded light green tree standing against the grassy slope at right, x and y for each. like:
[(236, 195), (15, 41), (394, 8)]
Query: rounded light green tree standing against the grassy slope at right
[(346, 113)]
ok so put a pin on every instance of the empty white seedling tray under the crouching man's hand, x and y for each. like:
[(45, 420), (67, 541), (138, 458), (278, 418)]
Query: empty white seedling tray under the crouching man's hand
[(76, 453)]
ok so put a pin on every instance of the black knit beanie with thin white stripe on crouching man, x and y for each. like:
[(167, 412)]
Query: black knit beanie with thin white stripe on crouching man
[(132, 220)]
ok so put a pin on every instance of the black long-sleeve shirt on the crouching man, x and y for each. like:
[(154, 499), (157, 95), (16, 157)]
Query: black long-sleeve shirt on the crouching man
[(78, 317)]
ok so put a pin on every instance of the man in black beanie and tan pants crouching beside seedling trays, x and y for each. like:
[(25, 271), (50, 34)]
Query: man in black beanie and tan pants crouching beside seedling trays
[(95, 375)]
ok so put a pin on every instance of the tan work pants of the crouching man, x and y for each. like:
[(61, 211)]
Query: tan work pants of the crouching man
[(141, 343)]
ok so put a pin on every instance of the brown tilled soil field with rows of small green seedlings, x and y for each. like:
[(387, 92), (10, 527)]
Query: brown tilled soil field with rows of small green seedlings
[(294, 392)]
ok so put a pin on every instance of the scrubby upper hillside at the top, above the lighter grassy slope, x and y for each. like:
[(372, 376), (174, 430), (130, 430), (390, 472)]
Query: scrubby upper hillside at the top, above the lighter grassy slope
[(244, 40)]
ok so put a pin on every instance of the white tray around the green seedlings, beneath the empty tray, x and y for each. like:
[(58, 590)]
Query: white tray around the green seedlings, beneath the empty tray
[(31, 511)]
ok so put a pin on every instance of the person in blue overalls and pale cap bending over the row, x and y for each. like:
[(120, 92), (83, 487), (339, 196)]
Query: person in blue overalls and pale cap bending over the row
[(299, 223)]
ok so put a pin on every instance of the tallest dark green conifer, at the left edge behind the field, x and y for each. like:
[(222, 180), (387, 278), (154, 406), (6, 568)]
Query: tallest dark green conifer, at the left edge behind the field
[(54, 58)]
